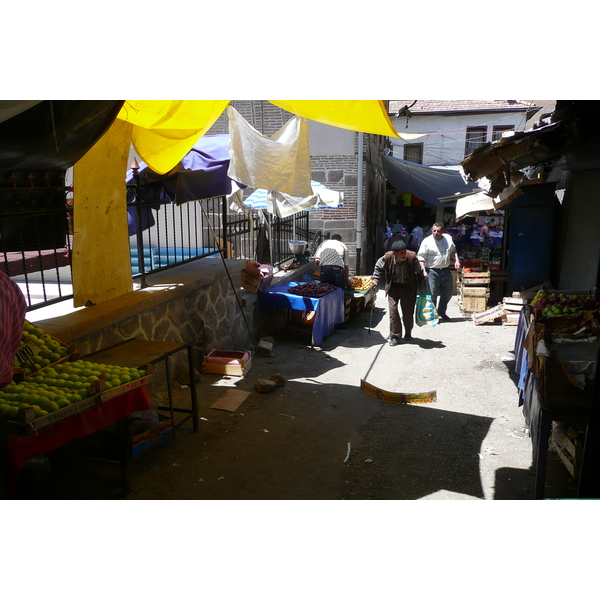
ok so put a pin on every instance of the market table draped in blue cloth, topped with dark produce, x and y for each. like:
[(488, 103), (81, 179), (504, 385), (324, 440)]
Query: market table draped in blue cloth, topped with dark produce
[(326, 301)]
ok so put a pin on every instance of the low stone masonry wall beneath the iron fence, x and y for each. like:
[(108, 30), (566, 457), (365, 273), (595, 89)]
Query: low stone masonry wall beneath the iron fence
[(203, 309)]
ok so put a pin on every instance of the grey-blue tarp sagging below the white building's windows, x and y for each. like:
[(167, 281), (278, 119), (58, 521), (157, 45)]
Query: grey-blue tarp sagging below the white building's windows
[(427, 183)]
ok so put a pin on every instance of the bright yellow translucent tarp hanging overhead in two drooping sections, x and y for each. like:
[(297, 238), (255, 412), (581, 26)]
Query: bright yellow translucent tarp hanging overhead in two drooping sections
[(165, 130)]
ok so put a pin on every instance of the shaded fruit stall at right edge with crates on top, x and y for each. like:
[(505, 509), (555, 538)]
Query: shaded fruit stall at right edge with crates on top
[(556, 356)]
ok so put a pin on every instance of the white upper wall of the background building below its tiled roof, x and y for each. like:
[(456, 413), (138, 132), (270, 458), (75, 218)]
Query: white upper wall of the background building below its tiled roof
[(445, 142)]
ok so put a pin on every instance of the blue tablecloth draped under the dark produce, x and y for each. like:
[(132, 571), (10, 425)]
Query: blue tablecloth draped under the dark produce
[(329, 309)]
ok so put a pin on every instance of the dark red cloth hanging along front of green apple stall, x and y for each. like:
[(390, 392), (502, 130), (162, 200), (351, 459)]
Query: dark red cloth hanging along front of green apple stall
[(24, 447)]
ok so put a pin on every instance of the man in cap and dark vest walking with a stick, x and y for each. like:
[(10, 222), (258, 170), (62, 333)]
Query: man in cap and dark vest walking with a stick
[(402, 273)]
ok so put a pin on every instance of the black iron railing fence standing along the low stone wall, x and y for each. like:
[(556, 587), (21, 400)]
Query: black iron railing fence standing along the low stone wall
[(36, 236)]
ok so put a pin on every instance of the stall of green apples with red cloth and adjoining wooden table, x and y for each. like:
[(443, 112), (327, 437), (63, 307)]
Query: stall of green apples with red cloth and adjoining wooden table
[(56, 397)]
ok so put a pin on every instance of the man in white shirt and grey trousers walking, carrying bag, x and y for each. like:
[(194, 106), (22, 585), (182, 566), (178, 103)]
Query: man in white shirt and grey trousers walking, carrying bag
[(436, 254)]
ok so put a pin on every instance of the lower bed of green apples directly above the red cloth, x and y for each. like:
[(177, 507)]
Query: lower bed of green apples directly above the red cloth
[(59, 386)]
